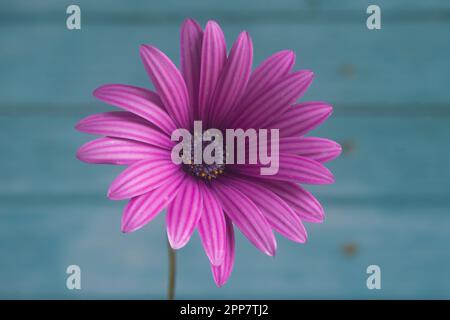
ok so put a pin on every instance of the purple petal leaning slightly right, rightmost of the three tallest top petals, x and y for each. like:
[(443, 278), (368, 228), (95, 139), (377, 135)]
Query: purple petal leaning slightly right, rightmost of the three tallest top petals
[(233, 80)]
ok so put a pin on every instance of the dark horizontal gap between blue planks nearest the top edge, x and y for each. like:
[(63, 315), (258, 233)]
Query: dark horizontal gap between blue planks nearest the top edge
[(97, 18)]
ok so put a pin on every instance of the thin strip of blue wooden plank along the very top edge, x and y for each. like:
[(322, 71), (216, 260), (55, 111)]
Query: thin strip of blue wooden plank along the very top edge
[(164, 9)]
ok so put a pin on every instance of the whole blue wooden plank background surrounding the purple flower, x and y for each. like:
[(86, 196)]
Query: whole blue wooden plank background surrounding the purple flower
[(390, 205)]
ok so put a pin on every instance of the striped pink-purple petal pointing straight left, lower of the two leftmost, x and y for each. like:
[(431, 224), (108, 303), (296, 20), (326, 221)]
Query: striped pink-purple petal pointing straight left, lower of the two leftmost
[(115, 151)]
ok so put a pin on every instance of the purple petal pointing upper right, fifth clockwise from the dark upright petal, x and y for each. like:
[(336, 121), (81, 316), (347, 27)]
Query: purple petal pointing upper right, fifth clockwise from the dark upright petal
[(274, 101)]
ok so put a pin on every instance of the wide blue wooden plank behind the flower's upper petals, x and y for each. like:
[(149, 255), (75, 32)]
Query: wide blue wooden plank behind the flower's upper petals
[(51, 67)]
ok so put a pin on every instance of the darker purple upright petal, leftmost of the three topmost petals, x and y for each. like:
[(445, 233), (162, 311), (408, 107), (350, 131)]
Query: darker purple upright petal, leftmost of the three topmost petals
[(191, 51)]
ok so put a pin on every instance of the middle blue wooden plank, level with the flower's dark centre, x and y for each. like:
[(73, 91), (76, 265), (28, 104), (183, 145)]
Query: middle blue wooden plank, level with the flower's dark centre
[(384, 157)]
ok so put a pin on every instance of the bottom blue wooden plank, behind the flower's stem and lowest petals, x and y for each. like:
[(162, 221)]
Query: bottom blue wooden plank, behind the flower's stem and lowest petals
[(38, 242)]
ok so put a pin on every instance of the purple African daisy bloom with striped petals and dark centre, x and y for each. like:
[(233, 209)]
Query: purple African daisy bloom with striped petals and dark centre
[(222, 92)]
